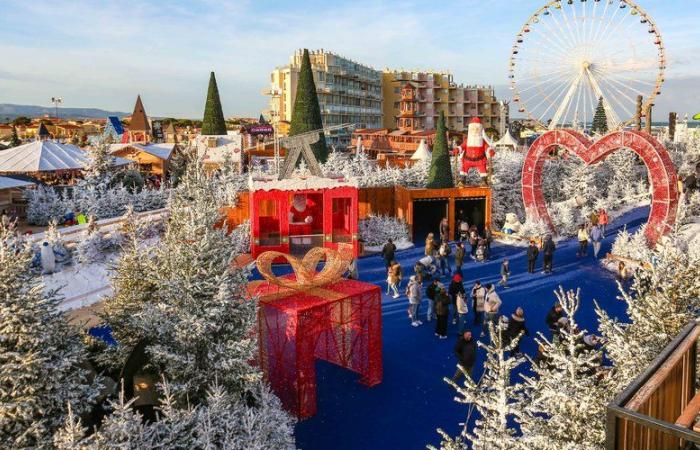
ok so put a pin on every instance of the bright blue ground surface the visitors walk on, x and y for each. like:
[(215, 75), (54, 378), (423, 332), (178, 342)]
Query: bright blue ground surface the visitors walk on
[(412, 401)]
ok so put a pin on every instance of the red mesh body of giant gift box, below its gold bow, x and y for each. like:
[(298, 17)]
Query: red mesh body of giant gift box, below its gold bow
[(339, 322)]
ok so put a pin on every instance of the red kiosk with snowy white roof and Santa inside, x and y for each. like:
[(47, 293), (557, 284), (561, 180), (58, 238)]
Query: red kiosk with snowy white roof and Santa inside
[(294, 215)]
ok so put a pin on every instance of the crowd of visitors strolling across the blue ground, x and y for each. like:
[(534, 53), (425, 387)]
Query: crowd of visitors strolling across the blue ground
[(436, 291)]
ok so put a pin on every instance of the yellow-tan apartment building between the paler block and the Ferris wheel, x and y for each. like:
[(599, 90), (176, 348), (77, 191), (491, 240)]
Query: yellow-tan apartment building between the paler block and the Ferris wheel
[(435, 92)]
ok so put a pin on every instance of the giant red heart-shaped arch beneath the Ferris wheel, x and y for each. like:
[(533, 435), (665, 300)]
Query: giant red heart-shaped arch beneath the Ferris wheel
[(664, 181)]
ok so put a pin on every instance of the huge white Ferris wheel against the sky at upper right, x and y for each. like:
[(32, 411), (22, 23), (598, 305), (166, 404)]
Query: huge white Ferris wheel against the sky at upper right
[(572, 54)]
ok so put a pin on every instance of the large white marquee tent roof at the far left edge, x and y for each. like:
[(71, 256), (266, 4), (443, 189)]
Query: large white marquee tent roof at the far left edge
[(45, 156)]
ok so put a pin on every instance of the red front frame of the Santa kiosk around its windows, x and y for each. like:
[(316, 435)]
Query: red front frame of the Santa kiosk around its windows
[(283, 205)]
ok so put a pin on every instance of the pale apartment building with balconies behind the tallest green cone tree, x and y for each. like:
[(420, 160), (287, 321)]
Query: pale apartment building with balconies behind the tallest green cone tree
[(348, 92)]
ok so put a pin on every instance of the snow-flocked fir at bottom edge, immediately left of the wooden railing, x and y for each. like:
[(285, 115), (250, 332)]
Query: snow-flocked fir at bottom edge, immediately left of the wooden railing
[(564, 402)]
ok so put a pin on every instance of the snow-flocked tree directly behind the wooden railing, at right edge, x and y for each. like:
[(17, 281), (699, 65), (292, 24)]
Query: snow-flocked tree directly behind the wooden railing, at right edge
[(663, 298)]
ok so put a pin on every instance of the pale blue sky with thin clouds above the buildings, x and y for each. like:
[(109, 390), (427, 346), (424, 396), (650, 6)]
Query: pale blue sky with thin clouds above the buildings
[(102, 53)]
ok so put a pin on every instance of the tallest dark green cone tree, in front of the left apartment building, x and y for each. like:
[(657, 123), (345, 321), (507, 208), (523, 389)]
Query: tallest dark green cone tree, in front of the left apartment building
[(306, 115)]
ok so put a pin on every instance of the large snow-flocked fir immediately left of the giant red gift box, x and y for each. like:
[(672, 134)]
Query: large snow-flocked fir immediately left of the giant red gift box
[(185, 285)]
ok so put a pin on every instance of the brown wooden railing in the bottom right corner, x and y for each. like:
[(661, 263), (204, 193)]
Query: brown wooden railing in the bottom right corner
[(657, 411)]
